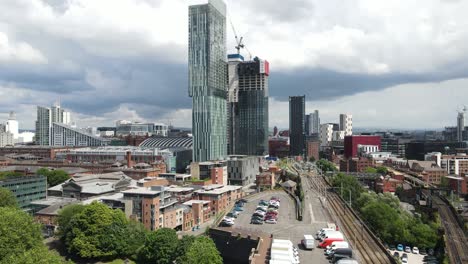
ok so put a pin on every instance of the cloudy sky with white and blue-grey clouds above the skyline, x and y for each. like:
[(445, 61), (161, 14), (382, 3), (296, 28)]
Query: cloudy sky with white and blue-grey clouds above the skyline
[(395, 64)]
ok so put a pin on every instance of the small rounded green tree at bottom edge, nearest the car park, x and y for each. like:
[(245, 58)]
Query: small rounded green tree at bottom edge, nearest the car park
[(203, 251)]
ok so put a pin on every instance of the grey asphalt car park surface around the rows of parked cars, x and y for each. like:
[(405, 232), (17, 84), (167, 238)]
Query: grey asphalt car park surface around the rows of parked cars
[(287, 226)]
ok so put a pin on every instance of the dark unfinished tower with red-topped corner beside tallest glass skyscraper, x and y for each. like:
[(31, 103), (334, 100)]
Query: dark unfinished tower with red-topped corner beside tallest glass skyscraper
[(247, 106)]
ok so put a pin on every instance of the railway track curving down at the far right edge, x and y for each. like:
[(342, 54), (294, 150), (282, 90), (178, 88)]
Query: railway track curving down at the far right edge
[(455, 239)]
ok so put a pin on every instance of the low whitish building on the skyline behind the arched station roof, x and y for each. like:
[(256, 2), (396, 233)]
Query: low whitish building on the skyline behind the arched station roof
[(128, 128)]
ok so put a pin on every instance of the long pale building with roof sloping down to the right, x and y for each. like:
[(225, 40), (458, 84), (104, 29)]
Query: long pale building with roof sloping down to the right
[(64, 135)]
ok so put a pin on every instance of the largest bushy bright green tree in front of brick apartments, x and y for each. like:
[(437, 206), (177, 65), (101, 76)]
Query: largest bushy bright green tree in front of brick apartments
[(88, 234)]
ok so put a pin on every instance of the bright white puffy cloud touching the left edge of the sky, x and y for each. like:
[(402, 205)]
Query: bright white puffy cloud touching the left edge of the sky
[(19, 52)]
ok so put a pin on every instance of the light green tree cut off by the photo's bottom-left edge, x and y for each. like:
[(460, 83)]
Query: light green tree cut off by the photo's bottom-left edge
[(19, 232)]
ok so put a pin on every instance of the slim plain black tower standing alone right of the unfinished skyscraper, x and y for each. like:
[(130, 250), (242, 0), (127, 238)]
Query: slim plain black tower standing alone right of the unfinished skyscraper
[(297, 125)]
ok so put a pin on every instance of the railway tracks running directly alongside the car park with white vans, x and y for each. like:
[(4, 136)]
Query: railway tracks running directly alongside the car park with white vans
[(360, 238)]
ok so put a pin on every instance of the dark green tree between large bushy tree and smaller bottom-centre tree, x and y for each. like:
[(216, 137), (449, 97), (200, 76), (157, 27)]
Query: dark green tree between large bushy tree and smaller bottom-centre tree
[(160, 247)]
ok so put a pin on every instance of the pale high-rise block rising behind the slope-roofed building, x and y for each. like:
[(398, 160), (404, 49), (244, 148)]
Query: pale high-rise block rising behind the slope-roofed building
[(46, 117)]
